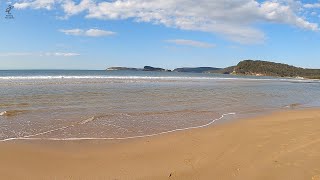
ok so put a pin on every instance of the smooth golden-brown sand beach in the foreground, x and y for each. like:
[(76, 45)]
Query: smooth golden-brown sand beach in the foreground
[(282, 145)]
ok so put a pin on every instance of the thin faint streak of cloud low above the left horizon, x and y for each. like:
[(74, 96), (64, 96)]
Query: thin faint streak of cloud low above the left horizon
[(63, 54)]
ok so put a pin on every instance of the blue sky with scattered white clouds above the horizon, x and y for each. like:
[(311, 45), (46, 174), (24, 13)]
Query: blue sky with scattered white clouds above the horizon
[(96, 34)]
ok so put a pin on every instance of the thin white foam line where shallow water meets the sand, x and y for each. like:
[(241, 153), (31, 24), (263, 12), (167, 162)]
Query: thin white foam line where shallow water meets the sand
[(30, 137)]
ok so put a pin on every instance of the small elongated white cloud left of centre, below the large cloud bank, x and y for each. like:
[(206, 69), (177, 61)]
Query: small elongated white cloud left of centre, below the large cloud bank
[(89, 32)]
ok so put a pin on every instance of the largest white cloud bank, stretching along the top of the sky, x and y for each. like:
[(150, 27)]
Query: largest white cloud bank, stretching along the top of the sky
[(233, 19)]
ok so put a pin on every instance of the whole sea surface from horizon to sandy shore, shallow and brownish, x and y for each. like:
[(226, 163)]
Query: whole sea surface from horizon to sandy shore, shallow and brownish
[(70, 105)]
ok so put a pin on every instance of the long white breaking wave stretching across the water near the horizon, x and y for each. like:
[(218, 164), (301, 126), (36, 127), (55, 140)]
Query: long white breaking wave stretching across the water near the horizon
[(153, 78)]
